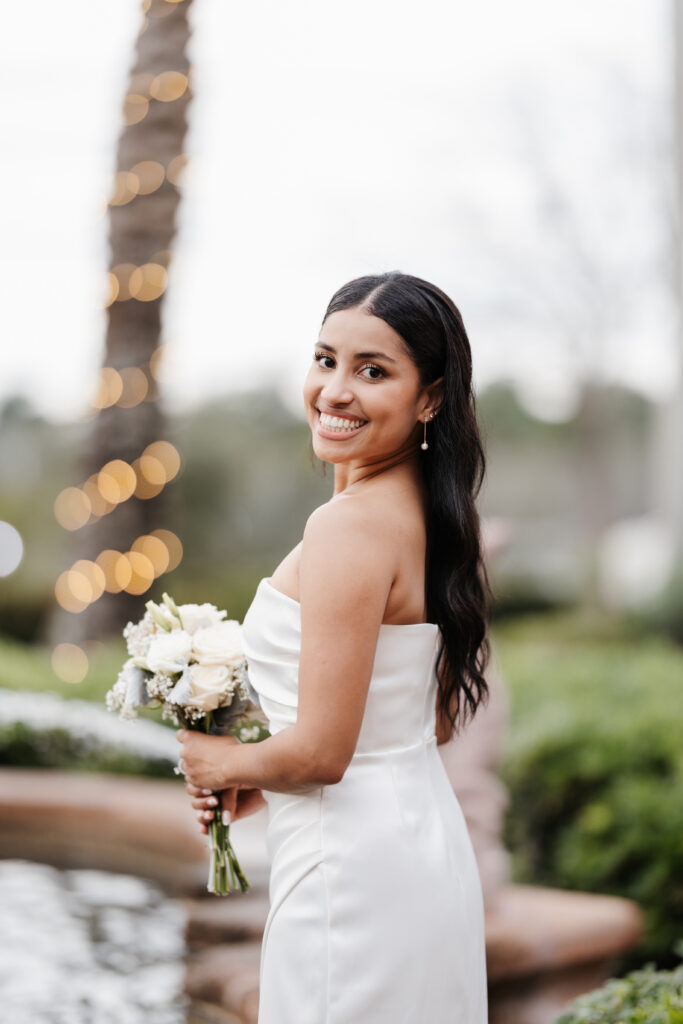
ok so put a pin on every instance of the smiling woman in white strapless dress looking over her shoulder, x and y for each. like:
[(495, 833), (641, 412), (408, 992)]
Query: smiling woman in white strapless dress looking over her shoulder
[(367, 646)]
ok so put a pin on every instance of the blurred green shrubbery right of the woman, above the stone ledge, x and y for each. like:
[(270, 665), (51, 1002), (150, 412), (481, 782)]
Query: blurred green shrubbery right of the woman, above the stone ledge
[(594, 765)]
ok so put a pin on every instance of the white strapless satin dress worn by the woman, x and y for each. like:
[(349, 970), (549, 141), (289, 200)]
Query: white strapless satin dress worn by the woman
[(376, 910)]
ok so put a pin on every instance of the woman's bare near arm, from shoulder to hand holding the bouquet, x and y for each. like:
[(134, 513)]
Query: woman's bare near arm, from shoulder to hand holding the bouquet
[(346, 575)]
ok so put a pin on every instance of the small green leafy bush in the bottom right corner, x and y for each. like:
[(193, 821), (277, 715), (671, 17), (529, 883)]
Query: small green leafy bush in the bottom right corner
[(645, 997)]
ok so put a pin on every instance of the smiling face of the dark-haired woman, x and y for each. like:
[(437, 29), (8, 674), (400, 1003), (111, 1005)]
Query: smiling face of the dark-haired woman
[(363, 395)]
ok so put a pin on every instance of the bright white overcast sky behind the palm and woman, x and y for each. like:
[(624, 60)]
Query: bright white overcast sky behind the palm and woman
[(330, 141)]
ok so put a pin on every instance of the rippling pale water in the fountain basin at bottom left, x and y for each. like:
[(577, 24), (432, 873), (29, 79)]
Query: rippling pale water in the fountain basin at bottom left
[(89, 948)]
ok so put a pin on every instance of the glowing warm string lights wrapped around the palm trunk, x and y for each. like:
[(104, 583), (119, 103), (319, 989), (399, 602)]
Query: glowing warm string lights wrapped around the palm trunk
[(152, 554)]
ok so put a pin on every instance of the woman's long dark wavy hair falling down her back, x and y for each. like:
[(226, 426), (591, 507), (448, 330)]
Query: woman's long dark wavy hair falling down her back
[(457, 589)]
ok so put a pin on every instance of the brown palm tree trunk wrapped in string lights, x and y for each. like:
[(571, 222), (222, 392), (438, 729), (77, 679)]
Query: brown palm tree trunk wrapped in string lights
[(142, 220)]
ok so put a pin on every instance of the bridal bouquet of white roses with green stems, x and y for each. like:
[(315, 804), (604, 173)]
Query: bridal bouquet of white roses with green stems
[(188, 660)]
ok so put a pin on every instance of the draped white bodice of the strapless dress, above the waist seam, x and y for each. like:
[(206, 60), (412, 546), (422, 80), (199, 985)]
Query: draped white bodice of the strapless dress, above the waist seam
[(401, 707)]
